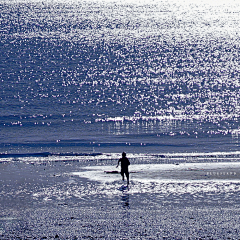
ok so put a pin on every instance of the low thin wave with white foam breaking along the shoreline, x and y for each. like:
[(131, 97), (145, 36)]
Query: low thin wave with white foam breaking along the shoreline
[(135, 158)]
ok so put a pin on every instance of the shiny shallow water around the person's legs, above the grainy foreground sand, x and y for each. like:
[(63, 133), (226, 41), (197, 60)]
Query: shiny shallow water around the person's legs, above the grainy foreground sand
[(74, 183)]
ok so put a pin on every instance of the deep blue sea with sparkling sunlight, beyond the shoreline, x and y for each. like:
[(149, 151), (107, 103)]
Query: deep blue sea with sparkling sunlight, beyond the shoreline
[(146, 77)]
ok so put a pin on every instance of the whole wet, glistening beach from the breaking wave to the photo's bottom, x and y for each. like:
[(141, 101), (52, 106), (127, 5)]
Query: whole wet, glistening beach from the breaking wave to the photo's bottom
[(72, 200)]
